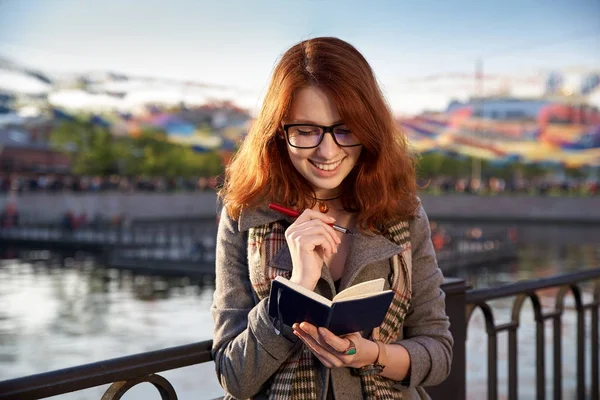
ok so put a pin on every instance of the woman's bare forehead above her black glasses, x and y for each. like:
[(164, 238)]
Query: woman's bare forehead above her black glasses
[(312, 104)]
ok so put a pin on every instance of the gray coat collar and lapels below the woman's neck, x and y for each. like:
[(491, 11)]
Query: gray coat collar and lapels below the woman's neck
[(366, 247)]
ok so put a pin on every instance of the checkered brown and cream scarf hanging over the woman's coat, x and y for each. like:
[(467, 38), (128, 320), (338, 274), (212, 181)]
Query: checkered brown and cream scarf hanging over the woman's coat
[(296, 378)]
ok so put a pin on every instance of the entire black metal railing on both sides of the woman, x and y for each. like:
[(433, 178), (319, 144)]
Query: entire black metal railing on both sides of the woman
[(126, 372)]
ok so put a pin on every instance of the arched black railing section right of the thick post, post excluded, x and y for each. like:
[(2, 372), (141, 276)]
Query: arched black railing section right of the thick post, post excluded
[(527, 290)]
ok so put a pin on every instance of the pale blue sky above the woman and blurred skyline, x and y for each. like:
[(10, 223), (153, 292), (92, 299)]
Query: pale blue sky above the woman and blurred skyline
[(237, 43)]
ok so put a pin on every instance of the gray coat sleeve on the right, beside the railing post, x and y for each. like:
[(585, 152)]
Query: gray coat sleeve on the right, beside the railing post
[(427, 336)]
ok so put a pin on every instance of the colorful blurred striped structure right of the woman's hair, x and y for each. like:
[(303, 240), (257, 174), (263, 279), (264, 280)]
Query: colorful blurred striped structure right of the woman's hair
[(549, 131)]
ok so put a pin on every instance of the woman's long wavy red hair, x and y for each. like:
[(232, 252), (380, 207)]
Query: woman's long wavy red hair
[(382, 186)]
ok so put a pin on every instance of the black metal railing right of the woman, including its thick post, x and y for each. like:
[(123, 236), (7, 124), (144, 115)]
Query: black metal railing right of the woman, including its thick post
[(461, 304)]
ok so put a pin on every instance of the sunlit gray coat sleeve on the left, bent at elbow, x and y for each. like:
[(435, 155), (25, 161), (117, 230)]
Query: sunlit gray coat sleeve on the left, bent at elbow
[(246, 349)]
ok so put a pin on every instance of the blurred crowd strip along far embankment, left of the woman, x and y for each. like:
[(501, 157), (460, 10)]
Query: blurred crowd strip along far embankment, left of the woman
[(68, 183)]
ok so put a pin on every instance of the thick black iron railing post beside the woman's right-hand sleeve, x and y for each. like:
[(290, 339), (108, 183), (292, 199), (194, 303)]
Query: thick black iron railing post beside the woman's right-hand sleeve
[(455, 290)]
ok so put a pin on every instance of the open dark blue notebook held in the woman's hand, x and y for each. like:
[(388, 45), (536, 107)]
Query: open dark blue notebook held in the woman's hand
[(289, 305)]
